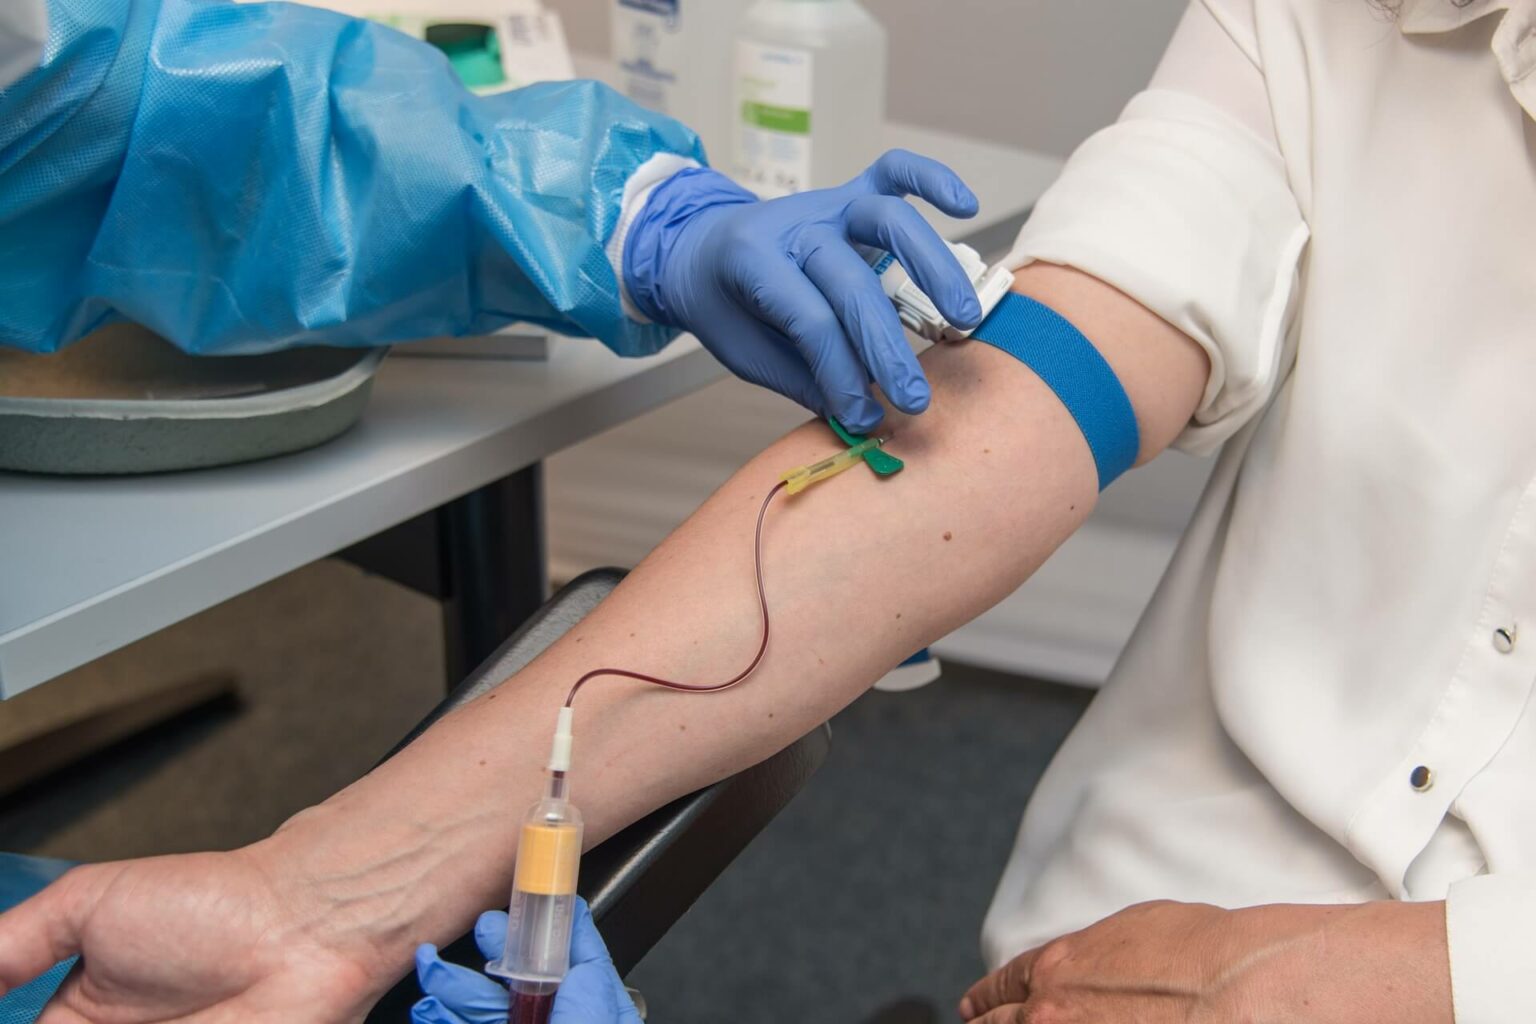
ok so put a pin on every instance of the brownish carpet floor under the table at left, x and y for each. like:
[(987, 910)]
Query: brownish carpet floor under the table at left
[(334, 667)]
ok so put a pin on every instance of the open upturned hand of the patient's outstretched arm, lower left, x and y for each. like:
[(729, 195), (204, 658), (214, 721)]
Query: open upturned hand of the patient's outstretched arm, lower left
[(193, 939)]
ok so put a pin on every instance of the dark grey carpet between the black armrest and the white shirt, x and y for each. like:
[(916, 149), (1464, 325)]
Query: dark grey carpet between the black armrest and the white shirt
[(873, 884)]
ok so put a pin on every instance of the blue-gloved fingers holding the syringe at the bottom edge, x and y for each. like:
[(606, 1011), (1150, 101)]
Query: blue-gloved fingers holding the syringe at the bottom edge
[(592, 993)]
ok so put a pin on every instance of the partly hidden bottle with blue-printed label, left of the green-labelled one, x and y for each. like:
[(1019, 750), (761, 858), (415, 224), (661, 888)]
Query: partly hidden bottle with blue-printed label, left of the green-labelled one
[(677, 58)]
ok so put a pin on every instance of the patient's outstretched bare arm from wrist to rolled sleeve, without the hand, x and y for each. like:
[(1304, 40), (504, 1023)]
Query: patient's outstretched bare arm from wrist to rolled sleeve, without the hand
[(859, 572)]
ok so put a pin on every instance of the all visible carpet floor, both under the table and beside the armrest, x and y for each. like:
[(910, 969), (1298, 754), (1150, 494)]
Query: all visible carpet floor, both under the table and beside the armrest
[(870, 888)]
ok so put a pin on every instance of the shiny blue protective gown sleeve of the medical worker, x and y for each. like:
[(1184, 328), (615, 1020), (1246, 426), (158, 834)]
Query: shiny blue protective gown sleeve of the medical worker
[(251, 177)]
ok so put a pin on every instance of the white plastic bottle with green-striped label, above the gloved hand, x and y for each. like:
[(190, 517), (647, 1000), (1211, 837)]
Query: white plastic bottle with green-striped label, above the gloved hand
[(810, 94)]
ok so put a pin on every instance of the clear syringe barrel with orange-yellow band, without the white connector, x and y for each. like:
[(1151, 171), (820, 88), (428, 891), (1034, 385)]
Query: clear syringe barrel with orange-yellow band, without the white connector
[(543, 907)]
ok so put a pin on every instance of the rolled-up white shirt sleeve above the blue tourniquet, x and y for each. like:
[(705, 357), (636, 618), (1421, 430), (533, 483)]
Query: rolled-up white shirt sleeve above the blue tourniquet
[(1185, 206)]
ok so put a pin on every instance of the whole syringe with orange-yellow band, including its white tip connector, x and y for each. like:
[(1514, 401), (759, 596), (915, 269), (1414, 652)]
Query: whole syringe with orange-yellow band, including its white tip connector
[(543, 907)]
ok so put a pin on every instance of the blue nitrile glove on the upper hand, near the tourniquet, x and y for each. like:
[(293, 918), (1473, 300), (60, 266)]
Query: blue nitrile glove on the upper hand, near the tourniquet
[(778, 292)]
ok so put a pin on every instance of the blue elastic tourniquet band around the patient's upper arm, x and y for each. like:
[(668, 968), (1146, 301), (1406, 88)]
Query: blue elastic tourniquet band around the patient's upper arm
[(1067, 362)]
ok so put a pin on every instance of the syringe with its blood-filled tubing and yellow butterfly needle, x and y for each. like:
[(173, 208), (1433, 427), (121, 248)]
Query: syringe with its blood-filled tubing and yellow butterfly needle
[(543, 908)]
